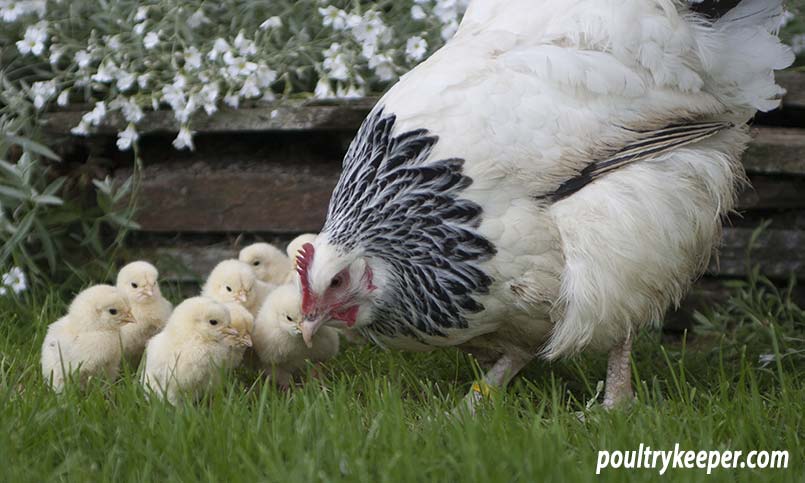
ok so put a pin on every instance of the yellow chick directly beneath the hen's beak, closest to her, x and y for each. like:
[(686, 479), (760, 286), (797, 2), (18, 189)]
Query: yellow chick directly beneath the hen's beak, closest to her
[(277, 339)]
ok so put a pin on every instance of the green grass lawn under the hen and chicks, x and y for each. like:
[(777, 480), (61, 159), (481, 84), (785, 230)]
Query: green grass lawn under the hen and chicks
[(381, 416)]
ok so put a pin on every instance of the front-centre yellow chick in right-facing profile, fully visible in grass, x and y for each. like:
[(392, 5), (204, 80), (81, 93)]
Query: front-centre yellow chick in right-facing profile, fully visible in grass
[(185, 358)]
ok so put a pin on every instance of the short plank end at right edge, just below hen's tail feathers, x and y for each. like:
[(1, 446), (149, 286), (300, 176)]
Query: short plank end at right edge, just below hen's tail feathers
[(776, 151)]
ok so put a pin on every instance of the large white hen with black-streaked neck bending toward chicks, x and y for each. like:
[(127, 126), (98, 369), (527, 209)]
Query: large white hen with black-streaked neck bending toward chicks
[(551, 180)]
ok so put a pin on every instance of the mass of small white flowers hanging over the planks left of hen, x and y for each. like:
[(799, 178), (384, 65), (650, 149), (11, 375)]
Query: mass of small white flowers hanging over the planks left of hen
[(196, 57)]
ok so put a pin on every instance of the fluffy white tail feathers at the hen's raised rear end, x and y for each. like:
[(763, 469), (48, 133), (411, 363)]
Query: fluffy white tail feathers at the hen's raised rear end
[(744, 53)]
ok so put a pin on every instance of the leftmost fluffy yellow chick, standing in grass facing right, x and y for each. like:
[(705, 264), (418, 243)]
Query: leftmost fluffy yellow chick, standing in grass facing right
[(87, 339)]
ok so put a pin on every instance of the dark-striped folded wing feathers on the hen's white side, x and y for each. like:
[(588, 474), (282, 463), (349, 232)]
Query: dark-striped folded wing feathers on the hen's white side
[(648, 145)]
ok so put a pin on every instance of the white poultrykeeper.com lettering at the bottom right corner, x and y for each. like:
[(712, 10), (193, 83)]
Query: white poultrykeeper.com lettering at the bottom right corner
[(647, 458)]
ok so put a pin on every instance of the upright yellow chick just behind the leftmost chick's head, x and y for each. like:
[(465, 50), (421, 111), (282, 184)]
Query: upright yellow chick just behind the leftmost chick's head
[(139, 282)]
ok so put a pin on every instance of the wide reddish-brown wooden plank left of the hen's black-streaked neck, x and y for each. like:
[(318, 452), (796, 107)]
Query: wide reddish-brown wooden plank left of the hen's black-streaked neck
[(199, 197)]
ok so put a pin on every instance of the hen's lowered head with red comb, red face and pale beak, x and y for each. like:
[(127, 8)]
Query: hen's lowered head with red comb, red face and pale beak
[(337, 289)]
